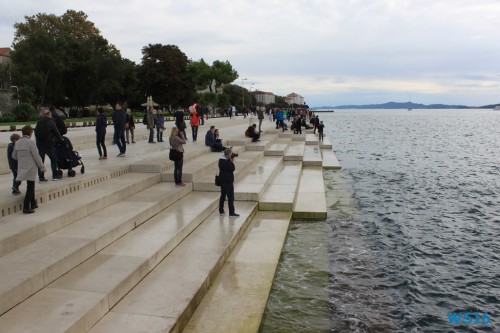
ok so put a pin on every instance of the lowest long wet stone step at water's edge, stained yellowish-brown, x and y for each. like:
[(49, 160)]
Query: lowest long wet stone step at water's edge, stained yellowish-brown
[(237, 299)]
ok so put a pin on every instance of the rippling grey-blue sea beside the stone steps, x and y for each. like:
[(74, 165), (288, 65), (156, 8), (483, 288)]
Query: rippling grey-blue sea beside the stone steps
[(412, 238)]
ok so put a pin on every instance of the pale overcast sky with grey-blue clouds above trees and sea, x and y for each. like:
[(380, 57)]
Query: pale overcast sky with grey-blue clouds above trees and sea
[(332, 52)]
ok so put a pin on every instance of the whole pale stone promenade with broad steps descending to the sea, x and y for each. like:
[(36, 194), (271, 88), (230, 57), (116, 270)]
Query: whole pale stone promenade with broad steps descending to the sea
[(121, 249)]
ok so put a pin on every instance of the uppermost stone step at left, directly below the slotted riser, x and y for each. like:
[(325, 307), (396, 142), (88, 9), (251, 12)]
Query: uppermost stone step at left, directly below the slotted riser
[(19, 230)]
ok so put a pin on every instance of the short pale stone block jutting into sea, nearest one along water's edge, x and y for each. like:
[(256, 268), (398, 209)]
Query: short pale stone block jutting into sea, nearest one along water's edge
[(310, 202)]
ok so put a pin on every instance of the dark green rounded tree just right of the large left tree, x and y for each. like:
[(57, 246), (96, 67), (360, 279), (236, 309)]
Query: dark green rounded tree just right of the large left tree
[(163, 74)]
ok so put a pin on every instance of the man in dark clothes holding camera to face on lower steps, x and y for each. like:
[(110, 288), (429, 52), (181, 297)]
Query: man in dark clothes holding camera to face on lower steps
[(226, 175)]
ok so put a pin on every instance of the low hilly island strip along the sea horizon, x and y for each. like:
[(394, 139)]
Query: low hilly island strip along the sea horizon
[(405, 105)]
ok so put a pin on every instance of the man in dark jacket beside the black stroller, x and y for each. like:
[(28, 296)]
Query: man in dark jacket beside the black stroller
[(46, 134)]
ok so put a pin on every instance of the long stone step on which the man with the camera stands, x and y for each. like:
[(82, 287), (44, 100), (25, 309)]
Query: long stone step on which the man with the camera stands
[(166, 298)]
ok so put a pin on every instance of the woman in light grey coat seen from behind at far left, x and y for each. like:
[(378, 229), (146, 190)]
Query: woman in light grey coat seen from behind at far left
[(29, 162)]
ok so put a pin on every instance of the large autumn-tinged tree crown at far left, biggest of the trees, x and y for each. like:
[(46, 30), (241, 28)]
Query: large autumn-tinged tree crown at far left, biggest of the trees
[(65, 60)]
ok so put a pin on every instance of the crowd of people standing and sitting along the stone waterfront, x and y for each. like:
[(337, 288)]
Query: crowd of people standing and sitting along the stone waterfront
[(27, 157)]
